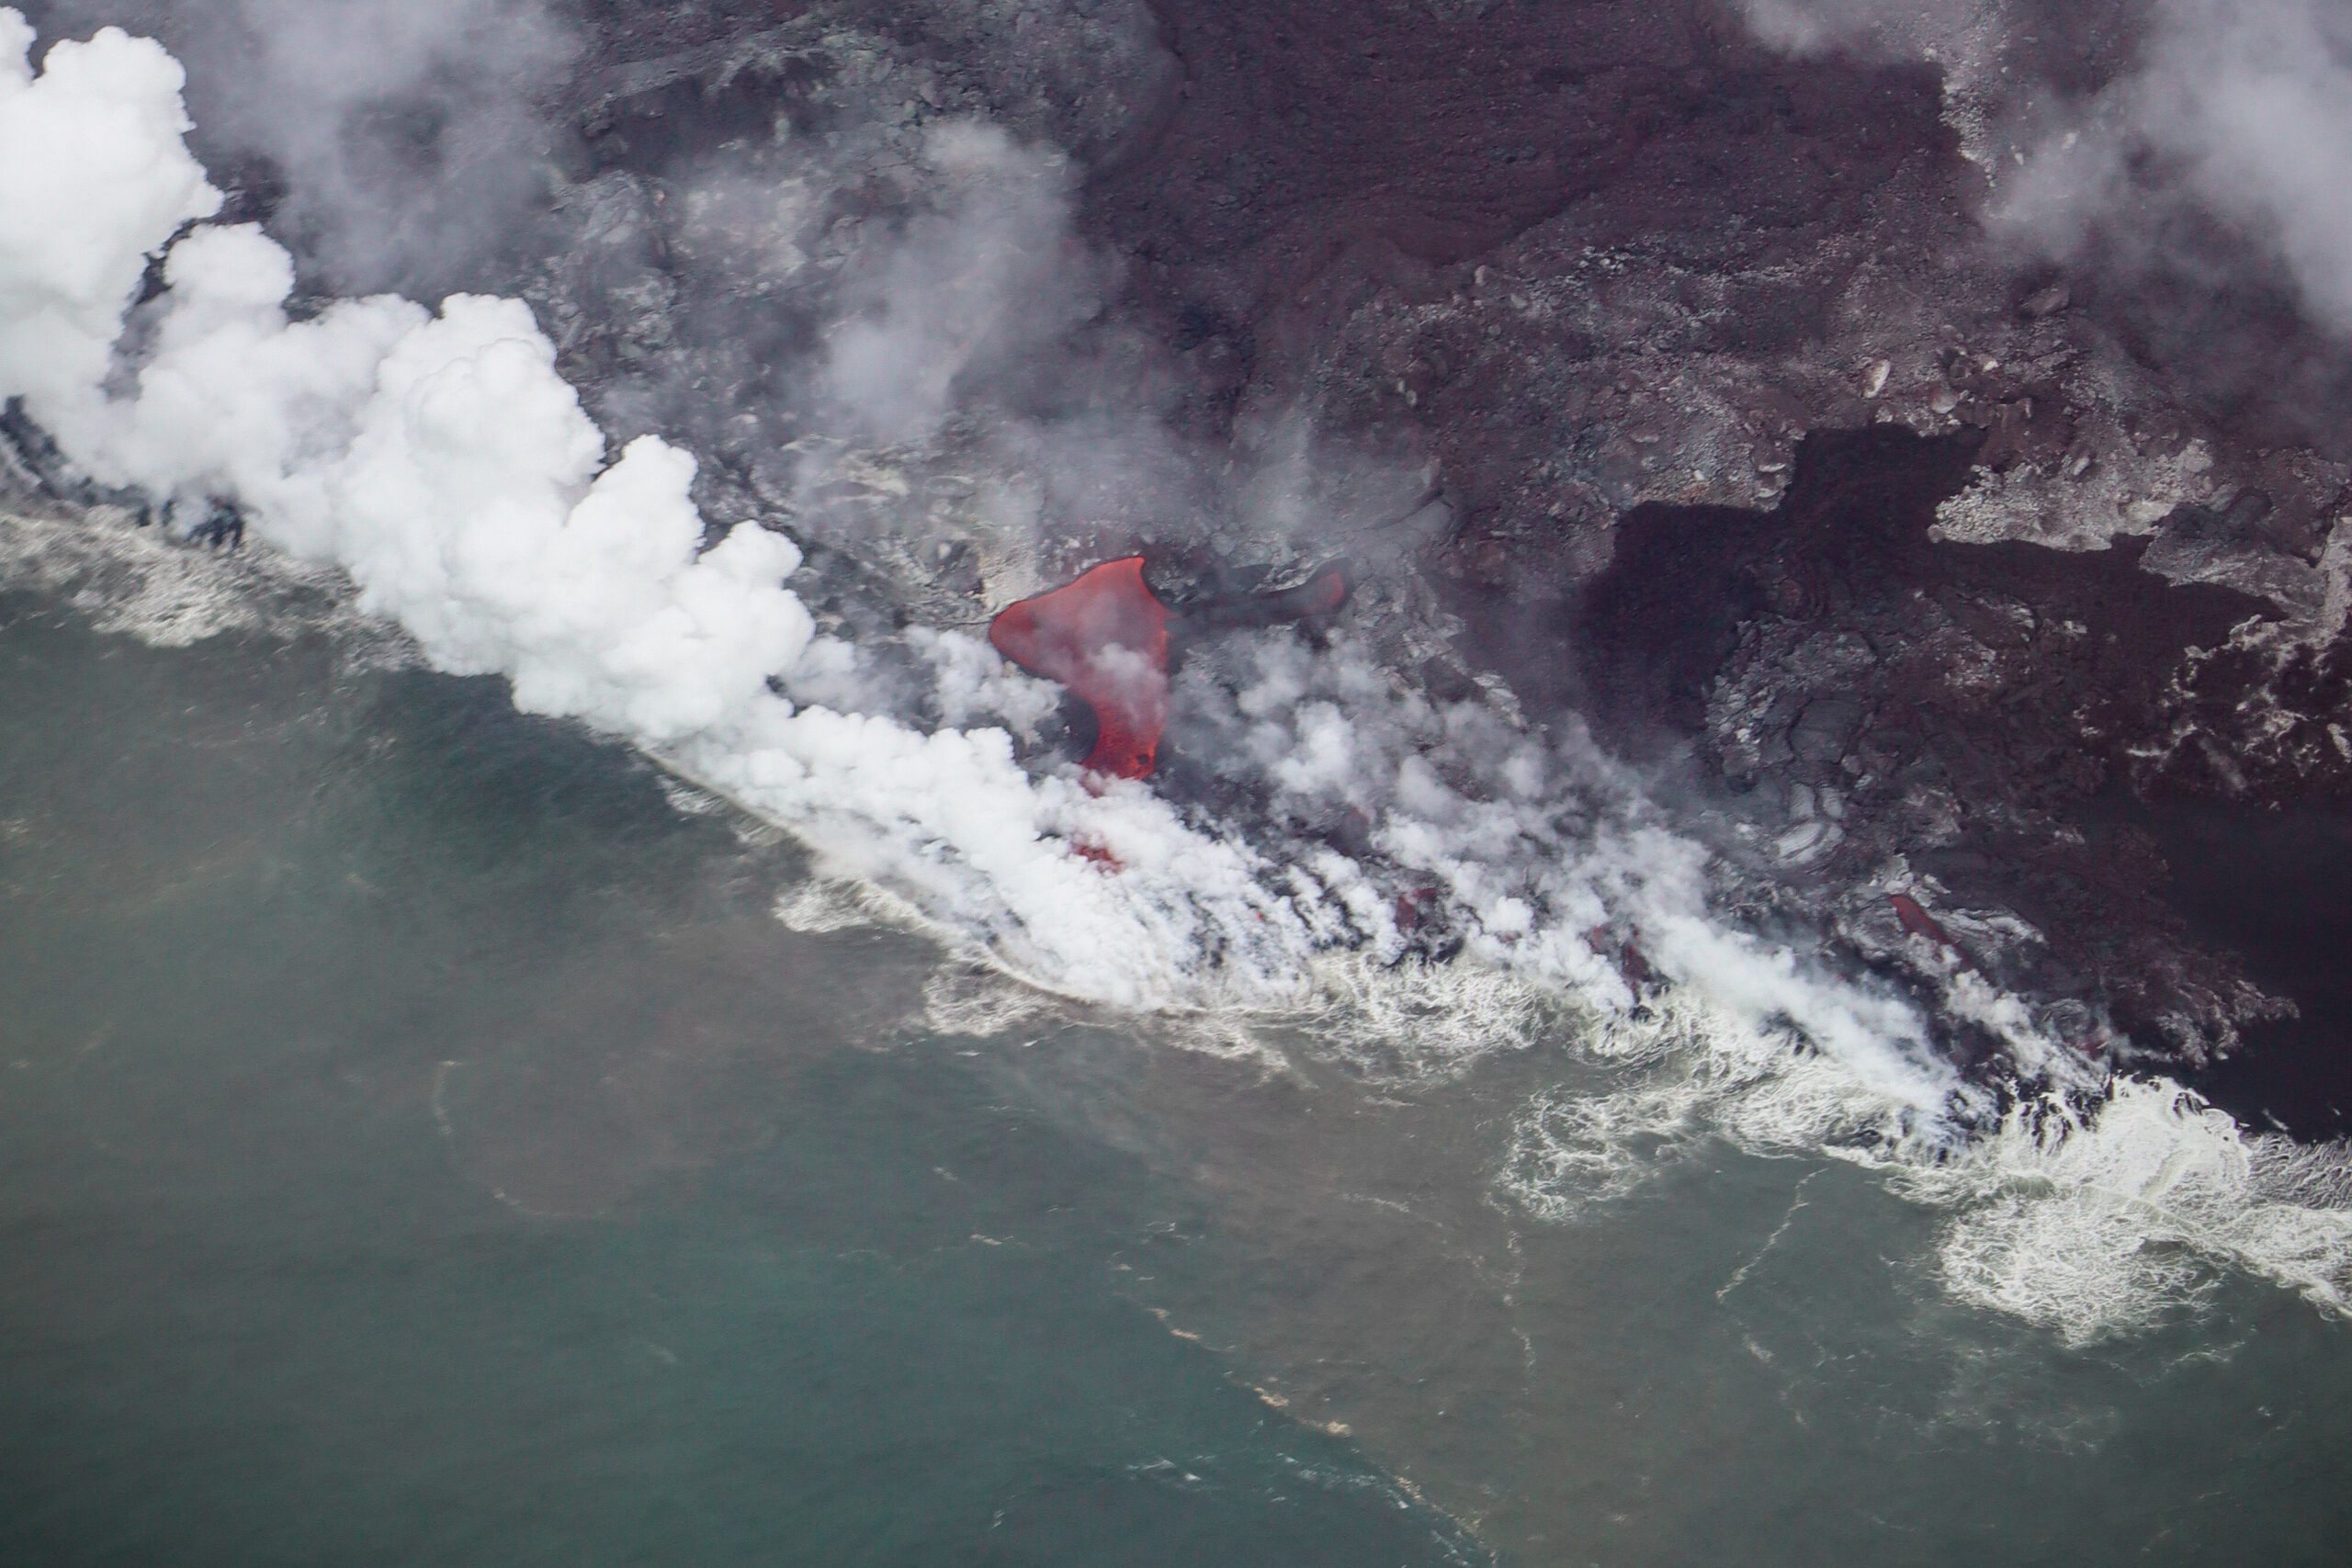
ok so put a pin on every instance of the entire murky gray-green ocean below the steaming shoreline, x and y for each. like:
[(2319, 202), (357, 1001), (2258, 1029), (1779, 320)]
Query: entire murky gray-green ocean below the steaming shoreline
[(422, 1141)]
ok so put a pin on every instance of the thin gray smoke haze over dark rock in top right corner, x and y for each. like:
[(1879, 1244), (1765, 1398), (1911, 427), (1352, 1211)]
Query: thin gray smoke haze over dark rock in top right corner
[(2181, 114)]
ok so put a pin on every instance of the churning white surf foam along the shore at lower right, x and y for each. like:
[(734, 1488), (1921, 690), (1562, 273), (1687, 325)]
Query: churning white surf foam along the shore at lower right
[(2092, 1224)]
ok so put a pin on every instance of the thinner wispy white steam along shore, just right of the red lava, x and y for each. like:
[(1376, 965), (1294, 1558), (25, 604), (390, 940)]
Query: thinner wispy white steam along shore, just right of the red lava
[(1544, 850)]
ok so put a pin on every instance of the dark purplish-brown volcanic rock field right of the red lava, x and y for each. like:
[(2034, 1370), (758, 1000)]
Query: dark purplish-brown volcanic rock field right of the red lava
[(1603, 260)]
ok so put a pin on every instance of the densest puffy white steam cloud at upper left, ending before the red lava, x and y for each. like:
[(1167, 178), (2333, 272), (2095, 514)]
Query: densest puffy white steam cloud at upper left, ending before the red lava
[(439, 460)]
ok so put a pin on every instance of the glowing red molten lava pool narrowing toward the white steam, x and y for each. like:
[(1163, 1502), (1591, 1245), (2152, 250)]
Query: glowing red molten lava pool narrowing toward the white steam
[(1107, 638)]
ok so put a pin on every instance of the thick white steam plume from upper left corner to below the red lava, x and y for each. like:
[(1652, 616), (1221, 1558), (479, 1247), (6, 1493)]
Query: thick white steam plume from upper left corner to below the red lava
[(448, 467)]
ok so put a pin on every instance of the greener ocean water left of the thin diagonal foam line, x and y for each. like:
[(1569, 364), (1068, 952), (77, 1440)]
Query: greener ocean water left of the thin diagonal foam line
[(422, 1146)]
